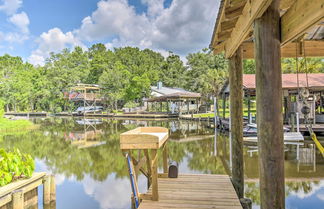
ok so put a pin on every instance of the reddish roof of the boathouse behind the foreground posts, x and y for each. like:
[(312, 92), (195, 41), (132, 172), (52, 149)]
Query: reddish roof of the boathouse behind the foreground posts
[(289, 81)]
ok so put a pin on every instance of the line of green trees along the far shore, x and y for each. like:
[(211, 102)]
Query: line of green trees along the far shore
[(124, 74)]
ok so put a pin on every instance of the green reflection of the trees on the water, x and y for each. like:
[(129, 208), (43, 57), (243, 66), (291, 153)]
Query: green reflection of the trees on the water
[(49, 144)]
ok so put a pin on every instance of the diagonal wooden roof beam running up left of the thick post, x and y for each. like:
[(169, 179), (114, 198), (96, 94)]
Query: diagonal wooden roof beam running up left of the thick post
[(252, 10)]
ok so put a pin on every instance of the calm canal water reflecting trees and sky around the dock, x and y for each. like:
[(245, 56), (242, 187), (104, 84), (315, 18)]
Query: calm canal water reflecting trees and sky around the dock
[(91, 172)]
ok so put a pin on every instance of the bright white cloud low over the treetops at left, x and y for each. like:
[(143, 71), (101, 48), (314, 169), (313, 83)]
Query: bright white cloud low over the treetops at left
[(52, 41)]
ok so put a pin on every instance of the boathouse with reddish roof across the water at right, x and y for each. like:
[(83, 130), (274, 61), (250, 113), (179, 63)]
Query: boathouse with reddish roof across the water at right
[(292, 85)]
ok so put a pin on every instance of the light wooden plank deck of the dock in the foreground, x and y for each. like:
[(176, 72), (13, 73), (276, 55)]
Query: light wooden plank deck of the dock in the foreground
[(195, 191)]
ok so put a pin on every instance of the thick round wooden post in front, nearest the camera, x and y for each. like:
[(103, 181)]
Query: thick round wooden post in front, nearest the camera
[(269, 107)]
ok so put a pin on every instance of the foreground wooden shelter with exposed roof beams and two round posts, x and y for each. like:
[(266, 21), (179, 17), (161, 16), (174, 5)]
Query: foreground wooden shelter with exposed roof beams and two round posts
[(272, 29)]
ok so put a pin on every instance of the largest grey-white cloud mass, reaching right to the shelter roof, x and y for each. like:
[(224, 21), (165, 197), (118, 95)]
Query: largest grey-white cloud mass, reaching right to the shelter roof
[(185, 26)]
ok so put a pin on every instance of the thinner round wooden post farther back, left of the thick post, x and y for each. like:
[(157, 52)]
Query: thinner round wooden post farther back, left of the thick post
[(236, 117)]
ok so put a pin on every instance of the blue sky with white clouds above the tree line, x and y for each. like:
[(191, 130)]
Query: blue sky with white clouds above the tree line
[(33, 28)]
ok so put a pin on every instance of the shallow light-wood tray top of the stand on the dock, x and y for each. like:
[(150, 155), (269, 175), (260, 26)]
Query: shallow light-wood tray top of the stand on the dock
[(144, 138)]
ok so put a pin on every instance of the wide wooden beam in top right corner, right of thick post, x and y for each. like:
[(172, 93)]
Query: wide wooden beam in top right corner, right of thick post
[(302, 15)]
